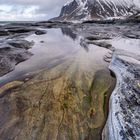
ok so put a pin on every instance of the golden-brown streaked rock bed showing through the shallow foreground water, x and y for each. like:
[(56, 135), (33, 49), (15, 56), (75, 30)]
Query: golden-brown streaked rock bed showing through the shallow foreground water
[(63, 103)]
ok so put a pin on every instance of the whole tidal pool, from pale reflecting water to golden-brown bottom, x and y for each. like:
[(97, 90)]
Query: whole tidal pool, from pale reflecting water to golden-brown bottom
[(67, 97)]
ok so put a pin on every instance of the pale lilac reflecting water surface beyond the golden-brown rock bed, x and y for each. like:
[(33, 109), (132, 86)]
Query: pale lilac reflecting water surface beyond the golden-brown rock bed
[(56, 47)]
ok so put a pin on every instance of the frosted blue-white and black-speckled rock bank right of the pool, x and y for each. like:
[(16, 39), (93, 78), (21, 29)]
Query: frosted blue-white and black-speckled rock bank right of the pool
[(124, 120)]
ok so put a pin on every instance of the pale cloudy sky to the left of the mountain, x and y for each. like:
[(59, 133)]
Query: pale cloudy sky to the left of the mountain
[(29, 9)]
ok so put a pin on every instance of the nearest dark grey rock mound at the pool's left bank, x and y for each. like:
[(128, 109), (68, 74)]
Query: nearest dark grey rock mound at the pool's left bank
[(12, 55)]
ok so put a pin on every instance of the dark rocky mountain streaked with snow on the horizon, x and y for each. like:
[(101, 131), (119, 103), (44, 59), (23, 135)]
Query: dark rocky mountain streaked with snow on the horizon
[(96, 9)]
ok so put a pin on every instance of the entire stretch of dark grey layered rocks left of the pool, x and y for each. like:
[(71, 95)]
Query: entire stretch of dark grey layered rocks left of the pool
[(13, 47)]
